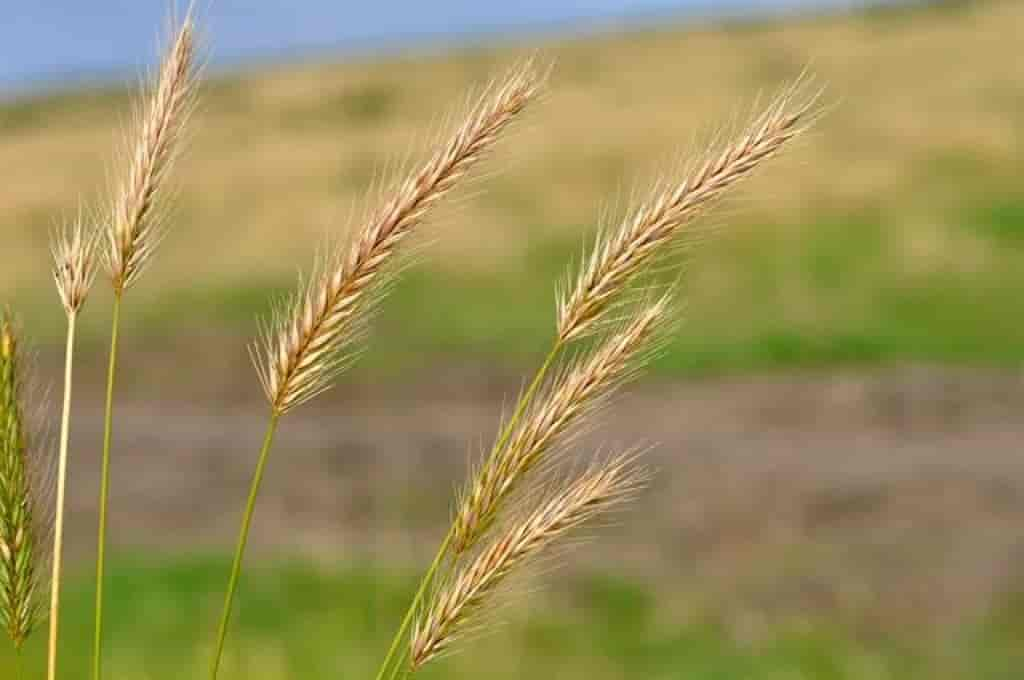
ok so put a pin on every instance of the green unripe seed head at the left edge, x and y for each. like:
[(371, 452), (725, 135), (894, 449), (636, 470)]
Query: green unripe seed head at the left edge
[(19, 557)]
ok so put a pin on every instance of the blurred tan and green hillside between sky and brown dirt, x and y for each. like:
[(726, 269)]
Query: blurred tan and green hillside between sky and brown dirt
[(895, 233)]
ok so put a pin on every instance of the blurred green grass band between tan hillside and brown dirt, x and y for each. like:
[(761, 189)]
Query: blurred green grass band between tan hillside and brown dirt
[(828, 295)]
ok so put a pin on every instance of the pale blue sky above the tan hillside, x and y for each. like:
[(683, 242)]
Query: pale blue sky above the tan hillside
[(50, 41)]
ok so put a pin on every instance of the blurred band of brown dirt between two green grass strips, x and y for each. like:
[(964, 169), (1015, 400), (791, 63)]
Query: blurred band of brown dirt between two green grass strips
[(894, 497)]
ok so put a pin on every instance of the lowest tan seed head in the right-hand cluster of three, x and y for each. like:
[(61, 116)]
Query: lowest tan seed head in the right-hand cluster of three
[(470, 591)]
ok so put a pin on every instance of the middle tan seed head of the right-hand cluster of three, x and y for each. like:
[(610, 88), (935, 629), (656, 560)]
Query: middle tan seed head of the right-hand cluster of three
[(575, 395)]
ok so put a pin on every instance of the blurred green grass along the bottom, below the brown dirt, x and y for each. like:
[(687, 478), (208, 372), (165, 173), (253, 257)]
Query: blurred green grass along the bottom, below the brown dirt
[(297, 622)]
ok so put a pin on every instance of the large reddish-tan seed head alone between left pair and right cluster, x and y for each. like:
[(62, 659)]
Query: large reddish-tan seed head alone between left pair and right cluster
[(303, 352)]
